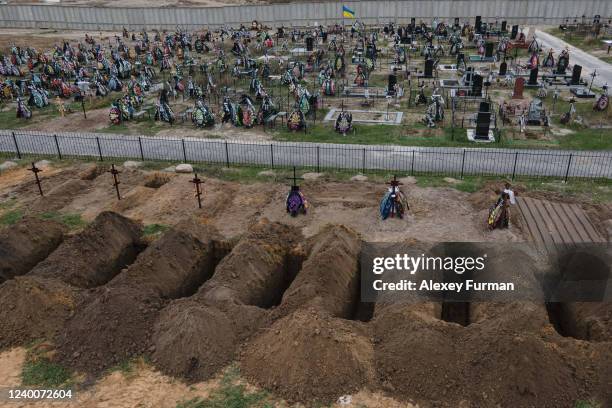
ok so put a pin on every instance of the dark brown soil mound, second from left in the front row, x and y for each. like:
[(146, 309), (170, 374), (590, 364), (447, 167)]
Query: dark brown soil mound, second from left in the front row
[(110, 327)]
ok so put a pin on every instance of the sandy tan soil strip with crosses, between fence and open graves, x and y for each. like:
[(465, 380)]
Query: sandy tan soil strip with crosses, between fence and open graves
[(436, 214)]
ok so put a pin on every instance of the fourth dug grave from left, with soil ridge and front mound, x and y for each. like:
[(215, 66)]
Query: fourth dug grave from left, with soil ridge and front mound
[(208, 326)]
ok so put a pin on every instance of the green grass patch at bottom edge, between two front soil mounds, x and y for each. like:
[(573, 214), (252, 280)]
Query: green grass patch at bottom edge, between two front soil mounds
[(230, 394)]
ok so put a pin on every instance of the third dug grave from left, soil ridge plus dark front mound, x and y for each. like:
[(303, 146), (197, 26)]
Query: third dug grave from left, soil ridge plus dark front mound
[(115, 323)]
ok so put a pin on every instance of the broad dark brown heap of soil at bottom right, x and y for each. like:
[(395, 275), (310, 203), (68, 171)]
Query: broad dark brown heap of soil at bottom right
[(443, 364)]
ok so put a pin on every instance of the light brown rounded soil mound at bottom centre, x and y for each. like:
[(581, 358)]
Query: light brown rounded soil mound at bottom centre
[(308, 356)]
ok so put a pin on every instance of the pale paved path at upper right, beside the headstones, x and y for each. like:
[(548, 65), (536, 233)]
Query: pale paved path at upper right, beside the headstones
[(577, 56)]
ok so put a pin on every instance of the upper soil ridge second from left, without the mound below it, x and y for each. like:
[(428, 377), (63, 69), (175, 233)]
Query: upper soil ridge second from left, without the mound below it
[(95, 255)]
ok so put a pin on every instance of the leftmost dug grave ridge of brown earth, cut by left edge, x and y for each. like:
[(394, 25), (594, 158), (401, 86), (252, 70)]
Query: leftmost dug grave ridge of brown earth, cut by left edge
[(26, 243)]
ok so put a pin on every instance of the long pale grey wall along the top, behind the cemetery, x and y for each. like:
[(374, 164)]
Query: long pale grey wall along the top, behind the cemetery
[(297, 14)]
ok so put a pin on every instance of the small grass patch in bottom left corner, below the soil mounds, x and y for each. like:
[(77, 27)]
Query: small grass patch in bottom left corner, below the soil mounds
[(39, 370)]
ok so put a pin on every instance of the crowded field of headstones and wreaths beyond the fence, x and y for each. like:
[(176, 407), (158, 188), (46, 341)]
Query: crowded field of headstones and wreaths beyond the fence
[(390, 75)]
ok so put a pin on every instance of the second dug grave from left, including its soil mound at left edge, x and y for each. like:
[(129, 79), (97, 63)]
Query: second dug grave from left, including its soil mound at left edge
[(84, 260)]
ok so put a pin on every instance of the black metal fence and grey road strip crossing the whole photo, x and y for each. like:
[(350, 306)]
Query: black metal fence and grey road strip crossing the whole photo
[(454, 162)]
